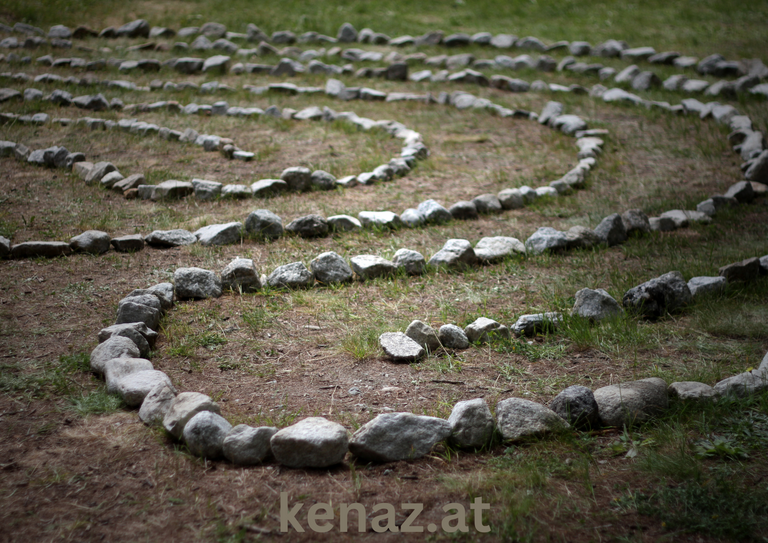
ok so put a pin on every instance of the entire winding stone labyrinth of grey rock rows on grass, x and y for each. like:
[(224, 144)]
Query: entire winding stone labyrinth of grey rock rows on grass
[(315, 442)]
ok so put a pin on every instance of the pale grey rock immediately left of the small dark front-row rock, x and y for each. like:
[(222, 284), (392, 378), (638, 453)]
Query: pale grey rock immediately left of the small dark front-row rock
[(517, 418)]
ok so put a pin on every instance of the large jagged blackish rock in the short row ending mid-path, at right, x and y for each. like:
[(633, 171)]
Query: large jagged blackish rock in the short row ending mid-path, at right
[(654, 298)]
